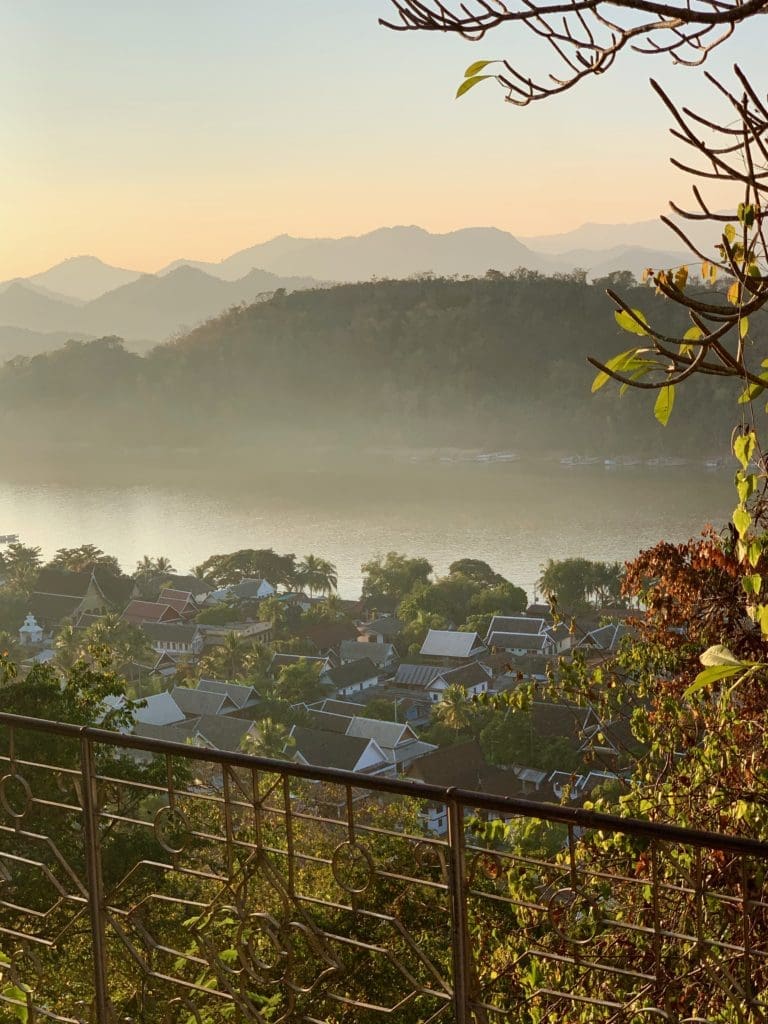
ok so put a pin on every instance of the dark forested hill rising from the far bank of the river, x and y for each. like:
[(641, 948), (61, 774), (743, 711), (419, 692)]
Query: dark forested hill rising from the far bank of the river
[(497, 362)]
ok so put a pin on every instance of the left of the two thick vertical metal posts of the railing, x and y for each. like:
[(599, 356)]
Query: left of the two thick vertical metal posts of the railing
[(96, 880)]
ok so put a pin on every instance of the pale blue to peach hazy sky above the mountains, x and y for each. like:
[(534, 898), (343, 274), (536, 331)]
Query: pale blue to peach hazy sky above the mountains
[(144, 132)]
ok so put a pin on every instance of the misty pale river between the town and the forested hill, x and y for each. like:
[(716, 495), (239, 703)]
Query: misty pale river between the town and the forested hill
[(515, 517)]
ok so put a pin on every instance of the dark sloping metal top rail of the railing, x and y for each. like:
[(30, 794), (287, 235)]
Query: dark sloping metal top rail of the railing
[(575, 817)]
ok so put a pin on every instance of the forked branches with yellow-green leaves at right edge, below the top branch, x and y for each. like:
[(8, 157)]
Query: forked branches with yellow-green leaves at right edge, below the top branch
[(719, 340)]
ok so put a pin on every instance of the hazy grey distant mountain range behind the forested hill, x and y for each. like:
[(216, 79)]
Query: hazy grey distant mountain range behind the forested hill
[(86, 297)]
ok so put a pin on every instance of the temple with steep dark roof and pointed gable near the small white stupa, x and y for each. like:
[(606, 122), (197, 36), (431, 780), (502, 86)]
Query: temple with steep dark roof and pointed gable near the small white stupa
[(61, 594)]
